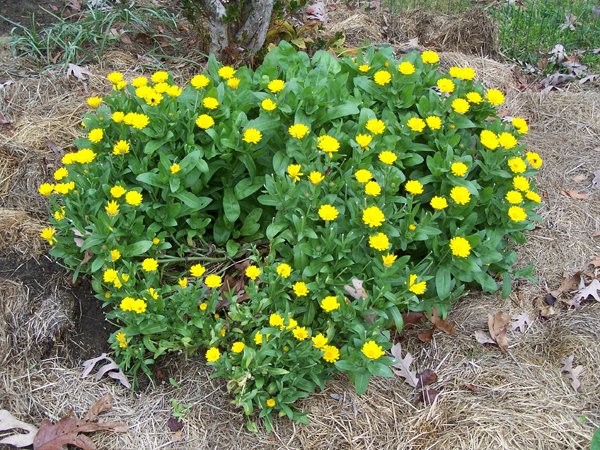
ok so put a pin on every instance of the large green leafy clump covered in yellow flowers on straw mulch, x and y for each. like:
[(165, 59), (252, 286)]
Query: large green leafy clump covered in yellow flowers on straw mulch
[(357, 188)]
